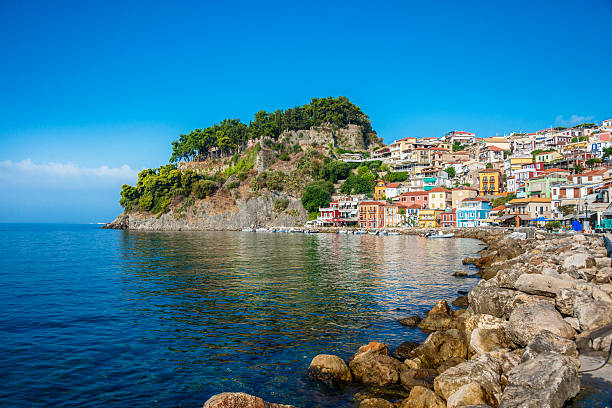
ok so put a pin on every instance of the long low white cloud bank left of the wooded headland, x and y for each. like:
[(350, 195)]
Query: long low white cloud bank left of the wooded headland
[(64, 174)]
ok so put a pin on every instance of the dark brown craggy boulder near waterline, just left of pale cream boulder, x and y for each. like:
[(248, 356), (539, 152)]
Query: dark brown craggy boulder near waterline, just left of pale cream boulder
[(441, 346)]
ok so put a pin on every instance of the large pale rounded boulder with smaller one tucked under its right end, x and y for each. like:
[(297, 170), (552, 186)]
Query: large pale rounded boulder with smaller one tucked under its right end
[(529, 319)]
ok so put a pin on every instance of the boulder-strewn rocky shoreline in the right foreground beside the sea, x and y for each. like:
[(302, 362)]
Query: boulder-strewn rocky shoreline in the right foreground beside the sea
[(542, 302)]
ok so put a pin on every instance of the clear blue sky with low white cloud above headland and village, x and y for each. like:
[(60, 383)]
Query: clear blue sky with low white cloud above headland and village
[(93, 92)]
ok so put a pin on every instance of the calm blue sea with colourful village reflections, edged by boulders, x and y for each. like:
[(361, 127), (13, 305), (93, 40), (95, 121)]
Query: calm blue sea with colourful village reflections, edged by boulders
[(92, 317)]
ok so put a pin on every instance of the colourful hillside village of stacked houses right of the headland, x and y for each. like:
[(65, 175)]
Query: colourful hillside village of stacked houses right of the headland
[(558, 178)]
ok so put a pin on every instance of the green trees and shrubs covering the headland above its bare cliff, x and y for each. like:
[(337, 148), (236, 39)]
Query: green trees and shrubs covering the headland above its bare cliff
[(307, 171)]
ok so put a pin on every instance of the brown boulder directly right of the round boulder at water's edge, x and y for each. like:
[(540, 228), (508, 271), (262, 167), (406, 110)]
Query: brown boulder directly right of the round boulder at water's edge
[(376, 369)]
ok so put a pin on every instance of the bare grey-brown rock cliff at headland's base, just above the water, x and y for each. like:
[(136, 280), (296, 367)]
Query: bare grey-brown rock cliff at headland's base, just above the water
[(209, 215)]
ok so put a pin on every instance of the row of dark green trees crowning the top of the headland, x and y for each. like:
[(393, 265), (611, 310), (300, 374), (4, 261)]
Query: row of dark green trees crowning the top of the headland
[(230, 135)]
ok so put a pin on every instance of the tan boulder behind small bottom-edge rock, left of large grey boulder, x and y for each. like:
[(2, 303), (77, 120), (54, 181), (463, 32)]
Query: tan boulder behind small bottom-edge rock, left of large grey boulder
[(484, 370)]
